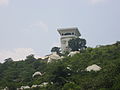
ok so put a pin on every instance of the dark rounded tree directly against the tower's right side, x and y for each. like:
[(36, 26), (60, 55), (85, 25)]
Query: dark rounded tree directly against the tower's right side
[(77, 44)]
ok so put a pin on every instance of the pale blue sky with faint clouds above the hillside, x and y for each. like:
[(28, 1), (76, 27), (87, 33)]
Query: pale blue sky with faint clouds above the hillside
[(30, 26)]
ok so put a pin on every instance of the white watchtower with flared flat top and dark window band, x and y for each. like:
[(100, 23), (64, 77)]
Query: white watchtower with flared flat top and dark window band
[(67, 34)]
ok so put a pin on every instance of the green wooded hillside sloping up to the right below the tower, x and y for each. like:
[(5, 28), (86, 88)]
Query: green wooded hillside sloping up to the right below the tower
[(66, 74)]
